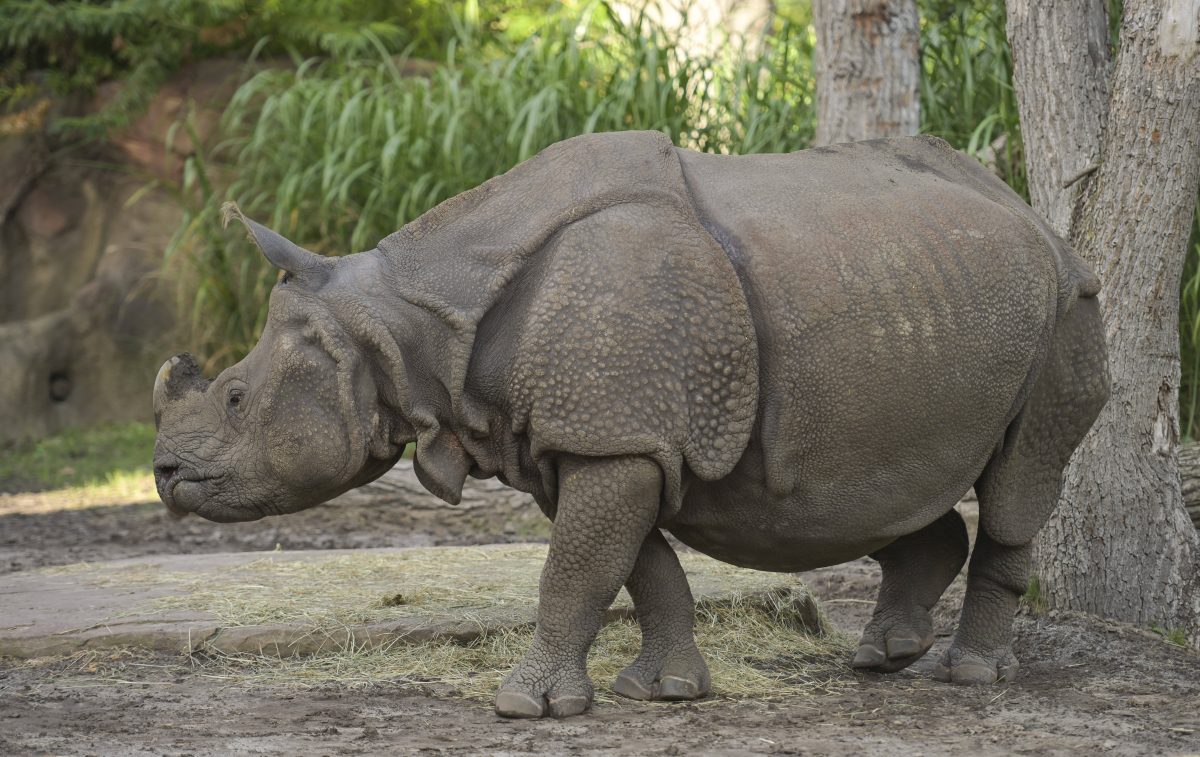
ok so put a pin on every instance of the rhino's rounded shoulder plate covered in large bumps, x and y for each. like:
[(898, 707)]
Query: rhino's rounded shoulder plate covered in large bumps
[(639, 343)]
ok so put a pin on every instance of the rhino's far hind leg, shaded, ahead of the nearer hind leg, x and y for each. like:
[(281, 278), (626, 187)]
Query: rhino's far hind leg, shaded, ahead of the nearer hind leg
[(916, 572)]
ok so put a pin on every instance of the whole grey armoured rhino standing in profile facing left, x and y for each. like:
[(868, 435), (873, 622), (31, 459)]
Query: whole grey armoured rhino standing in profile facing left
[(787, 362)]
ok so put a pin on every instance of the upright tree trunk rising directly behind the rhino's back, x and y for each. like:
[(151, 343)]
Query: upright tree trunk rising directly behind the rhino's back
[(868, 67)]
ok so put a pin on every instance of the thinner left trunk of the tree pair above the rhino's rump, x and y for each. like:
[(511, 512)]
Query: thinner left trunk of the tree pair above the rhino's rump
[(1060, 71)]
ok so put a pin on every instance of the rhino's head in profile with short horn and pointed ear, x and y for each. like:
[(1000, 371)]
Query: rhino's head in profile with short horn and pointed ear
[(296, 423)]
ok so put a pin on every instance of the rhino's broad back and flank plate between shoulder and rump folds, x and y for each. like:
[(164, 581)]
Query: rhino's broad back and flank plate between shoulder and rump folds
[(901, 314)]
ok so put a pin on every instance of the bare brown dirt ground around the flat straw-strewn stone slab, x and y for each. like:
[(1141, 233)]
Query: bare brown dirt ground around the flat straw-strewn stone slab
[(1087, 687)]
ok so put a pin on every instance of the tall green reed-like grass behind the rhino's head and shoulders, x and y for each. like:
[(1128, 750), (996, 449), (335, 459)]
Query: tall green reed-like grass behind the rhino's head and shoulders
[(339, 154)]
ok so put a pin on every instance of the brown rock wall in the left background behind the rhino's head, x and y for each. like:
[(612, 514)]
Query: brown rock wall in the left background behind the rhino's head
[(87, 310)]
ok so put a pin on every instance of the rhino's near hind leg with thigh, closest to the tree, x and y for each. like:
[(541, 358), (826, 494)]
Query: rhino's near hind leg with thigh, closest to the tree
[(1019, 490)]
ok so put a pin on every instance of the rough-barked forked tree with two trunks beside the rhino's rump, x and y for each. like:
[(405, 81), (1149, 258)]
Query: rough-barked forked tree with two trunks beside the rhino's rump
[(1121, 544)]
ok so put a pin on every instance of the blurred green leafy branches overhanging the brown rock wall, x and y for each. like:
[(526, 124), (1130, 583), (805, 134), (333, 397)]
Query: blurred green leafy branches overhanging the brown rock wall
[(82, 44)]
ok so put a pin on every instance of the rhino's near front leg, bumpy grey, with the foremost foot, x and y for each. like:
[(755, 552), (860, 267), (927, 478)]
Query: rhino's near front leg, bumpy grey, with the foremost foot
[(605, 510)]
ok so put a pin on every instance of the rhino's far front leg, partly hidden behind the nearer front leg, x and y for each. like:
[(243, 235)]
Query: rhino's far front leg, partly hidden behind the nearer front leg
[(669, 666)]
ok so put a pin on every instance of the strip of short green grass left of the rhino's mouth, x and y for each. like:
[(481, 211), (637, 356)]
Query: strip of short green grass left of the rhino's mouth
[(79, 458)]
